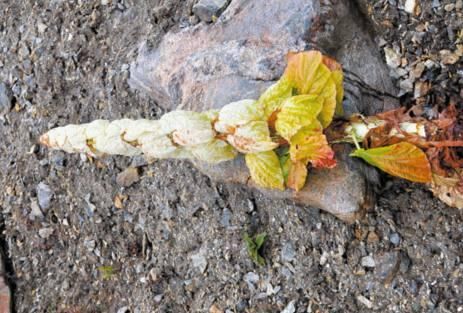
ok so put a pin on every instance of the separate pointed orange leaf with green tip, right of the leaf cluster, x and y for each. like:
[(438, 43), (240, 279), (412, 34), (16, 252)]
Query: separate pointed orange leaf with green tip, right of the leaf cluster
[(403, 160)]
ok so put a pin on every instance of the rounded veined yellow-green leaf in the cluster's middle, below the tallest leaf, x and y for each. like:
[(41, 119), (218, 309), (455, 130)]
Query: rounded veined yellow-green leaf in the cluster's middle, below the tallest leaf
[(297, 112)]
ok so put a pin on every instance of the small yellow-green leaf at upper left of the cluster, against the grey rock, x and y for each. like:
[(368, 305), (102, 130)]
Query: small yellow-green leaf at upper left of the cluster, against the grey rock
[(273, 97)]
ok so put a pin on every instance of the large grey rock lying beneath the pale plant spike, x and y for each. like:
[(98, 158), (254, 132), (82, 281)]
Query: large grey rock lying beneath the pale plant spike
[(239, 56)]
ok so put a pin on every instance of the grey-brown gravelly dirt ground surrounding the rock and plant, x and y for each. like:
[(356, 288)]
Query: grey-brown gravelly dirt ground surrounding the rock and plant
[(175, 244)]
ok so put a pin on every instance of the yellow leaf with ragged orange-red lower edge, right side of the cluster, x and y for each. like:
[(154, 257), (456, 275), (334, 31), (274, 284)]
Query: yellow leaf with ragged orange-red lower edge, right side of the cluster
[(310, 145)]
